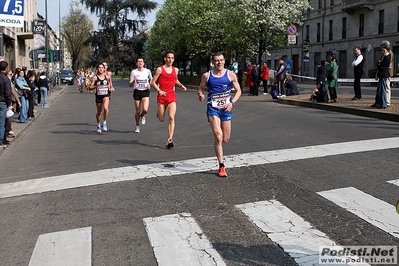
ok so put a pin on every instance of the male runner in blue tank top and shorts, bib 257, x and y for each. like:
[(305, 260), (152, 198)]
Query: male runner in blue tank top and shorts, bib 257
[(219, 82)]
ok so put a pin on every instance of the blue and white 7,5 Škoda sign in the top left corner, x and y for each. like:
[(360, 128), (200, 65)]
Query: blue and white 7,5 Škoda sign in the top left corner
[(12, 13)]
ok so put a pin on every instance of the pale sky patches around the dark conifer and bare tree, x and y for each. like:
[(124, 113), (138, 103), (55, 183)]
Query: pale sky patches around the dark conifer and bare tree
[(53, 12)]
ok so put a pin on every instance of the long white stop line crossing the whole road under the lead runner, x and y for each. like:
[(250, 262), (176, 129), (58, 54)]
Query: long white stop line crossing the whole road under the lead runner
[(130, 173)]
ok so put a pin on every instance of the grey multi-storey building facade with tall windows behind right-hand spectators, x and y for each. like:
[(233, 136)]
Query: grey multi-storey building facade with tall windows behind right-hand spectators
[(338, 26)]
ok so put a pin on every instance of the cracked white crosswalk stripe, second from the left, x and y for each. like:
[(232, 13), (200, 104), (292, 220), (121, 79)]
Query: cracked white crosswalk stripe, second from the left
[(178, 240)]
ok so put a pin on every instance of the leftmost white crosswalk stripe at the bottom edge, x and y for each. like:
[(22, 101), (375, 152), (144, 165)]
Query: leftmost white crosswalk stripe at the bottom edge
[(65, 248)]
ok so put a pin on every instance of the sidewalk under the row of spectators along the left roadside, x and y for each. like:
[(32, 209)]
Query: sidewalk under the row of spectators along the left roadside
[(21, 128)]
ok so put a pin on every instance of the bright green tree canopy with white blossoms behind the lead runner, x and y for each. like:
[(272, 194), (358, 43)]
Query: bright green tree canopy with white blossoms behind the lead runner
[(197, 29)]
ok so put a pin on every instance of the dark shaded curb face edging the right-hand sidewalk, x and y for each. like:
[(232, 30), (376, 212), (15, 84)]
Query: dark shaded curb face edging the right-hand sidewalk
[(342, 109)]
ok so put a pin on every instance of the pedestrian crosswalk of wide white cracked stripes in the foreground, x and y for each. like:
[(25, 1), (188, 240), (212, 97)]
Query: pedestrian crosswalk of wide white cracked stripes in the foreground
[(177, 239)]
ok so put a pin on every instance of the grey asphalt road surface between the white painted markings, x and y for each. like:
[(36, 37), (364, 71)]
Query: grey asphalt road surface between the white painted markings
[(64, 141)]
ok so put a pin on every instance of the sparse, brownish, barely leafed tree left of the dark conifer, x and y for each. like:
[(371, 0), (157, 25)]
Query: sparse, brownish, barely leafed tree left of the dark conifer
[(75, 28)]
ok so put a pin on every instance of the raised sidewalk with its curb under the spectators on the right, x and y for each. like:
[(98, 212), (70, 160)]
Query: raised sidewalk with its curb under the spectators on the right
[(344, 103)]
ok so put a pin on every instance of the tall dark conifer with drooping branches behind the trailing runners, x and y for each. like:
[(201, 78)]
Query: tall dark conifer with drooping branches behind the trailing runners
[(118, 29)]
